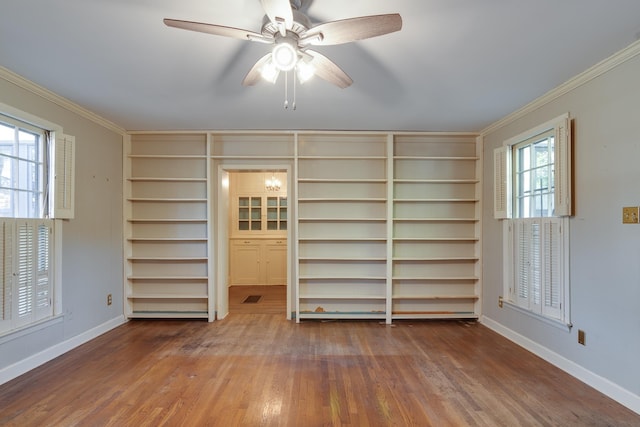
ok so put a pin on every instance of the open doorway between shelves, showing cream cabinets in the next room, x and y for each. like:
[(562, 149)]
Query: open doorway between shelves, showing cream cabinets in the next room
[(255, 240)]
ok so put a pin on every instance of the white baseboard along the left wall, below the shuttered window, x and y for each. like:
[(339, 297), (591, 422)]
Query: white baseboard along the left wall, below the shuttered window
[(31, 362)]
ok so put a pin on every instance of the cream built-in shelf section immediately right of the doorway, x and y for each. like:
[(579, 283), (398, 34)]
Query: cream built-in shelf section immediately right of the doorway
[(342, 226)]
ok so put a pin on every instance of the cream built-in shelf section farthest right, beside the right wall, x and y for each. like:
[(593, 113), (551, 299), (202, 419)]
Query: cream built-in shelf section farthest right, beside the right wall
[(435, 271)]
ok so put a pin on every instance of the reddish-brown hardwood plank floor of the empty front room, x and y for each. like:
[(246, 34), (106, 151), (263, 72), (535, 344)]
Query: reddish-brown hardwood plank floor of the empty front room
[(262, 370)]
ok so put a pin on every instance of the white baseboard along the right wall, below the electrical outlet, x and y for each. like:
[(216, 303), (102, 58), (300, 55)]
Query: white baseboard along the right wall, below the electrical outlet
[(603, 385)]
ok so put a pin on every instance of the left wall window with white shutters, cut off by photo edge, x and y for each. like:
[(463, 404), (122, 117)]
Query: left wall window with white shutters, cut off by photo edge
[(36, 190)]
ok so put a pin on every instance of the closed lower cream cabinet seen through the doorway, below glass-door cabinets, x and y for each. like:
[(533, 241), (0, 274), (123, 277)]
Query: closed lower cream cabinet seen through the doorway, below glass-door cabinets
[(258, 262)]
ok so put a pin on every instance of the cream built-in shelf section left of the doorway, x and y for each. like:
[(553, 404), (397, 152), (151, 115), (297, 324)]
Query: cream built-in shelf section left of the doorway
[(167, 226)]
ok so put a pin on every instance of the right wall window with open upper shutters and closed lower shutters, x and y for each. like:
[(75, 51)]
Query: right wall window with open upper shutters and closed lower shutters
[(533, 197)]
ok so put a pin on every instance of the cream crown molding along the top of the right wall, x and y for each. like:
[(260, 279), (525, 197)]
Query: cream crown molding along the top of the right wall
[(597, 70)]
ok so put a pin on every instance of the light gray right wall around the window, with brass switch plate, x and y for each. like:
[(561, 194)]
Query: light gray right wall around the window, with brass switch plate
[(604, 253)]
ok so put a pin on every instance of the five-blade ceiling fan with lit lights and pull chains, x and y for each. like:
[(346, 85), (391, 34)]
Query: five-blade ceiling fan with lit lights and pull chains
[(290, 31)]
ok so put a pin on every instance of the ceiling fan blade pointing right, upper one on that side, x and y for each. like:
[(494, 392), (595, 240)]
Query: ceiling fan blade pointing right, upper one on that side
[(348, 30)]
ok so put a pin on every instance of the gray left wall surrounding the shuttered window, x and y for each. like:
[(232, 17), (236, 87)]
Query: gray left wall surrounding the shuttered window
[(92, 264)]
